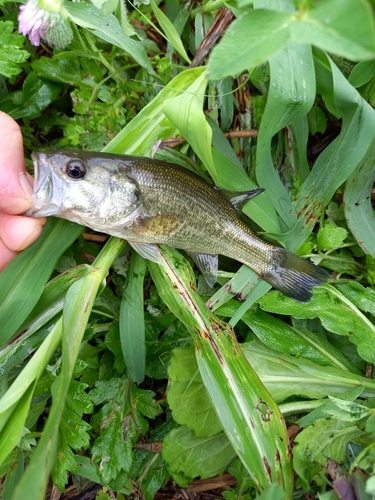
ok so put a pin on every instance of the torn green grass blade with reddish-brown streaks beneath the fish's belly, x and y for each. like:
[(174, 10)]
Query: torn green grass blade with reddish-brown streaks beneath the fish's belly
[(249, 415)]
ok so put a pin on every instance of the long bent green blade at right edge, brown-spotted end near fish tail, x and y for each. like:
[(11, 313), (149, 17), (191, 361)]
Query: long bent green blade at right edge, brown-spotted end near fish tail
[(345, 153)]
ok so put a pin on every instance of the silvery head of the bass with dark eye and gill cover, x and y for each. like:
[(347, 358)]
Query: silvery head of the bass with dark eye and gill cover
[(88, 188)]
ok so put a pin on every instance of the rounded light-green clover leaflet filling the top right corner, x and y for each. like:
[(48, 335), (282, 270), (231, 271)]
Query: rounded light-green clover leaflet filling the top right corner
[(343, 27)]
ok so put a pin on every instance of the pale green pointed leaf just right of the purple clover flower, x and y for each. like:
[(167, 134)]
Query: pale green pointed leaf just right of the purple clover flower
[(109, 29)]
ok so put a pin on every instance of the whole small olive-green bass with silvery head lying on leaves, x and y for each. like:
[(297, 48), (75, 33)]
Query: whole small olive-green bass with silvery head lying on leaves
[(151, 202)]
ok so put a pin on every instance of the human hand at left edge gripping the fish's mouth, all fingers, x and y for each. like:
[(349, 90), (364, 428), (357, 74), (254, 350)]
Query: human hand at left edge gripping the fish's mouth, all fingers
[(16, 232)]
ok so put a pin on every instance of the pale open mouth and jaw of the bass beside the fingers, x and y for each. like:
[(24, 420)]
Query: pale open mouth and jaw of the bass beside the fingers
[(43, 199)]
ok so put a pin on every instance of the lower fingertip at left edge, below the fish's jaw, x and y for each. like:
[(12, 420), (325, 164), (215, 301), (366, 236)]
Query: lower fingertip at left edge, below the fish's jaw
[(17, 232)]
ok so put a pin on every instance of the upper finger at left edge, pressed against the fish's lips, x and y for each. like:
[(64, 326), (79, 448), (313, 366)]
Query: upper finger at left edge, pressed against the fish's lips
[(15, 194)]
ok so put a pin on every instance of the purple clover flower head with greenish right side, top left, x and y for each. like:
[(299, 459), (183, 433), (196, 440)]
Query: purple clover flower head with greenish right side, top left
[(38, 17)]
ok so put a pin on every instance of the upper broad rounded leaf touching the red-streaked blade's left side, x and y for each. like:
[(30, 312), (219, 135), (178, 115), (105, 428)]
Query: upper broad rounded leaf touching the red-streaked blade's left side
[(187, 397)]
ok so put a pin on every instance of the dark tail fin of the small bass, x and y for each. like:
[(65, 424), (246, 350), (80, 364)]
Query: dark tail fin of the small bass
[(293, 276)]
